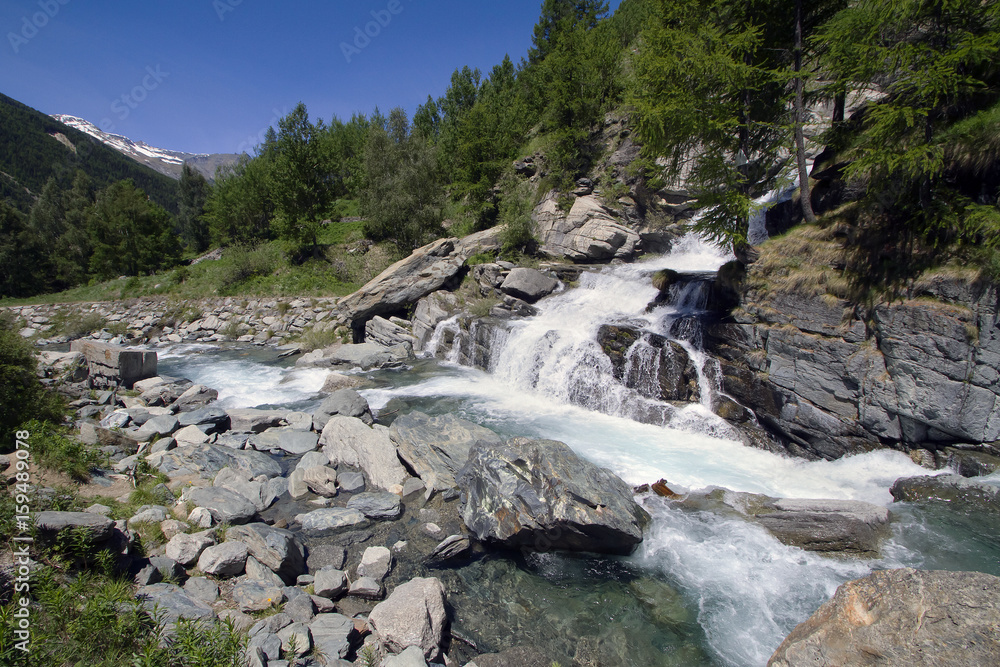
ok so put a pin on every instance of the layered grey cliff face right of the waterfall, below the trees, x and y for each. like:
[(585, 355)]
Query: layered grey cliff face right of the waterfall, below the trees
[(830, 379)]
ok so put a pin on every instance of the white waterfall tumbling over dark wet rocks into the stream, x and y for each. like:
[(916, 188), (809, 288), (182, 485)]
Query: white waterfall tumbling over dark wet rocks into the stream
[(569, 350)]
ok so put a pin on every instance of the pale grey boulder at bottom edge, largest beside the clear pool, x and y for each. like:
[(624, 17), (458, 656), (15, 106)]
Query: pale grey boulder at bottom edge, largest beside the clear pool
[(413, 615)]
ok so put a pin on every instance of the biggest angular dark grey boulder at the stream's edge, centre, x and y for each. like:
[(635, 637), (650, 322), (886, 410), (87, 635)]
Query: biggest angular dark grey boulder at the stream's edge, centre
[(540, 494)]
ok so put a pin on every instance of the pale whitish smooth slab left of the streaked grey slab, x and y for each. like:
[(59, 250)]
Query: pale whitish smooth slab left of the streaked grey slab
[(351, 442)]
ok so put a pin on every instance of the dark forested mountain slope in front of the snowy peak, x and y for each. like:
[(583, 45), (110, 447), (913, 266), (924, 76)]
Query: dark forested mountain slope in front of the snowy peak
[(35, 147)]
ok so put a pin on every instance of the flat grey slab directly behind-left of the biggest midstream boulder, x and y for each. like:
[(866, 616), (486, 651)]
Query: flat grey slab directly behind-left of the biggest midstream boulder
[(436, 448)]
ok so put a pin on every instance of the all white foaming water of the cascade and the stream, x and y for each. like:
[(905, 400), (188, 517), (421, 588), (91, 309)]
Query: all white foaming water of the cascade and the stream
[(749, 590)]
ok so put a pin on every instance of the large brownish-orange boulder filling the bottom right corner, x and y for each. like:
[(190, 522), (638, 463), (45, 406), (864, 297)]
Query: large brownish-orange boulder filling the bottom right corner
[(901, 618)]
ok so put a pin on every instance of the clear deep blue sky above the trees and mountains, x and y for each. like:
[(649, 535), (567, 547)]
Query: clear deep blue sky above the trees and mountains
[(208, 76)]
